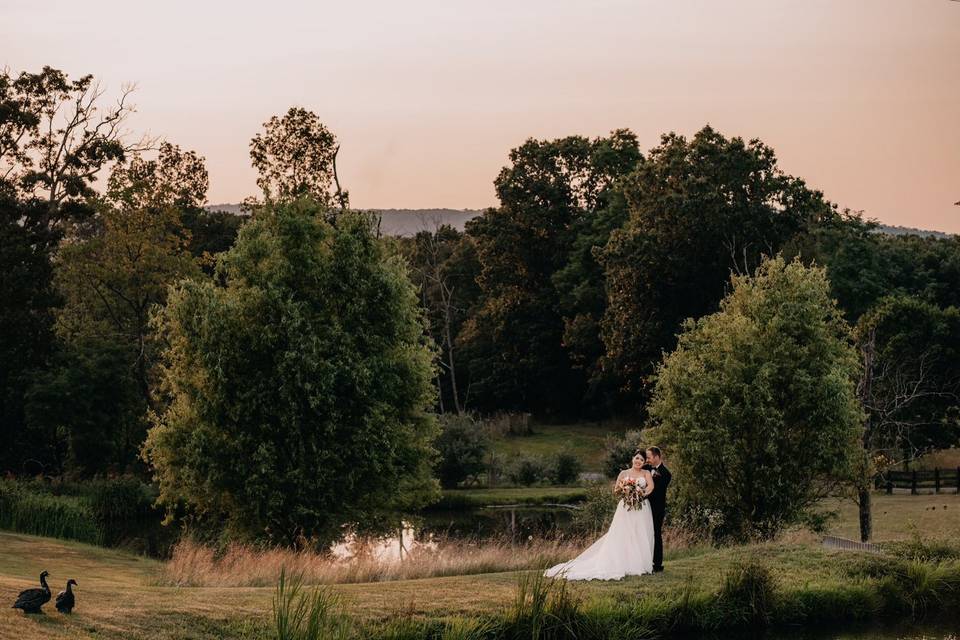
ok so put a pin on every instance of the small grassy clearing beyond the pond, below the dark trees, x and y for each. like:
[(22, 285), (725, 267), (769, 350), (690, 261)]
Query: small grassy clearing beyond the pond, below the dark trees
[(584, 439)]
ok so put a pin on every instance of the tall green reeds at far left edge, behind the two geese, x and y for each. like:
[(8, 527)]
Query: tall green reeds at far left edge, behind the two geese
[(69, 510)]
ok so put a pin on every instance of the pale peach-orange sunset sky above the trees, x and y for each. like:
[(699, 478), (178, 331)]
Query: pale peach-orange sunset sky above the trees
[(860, 97)]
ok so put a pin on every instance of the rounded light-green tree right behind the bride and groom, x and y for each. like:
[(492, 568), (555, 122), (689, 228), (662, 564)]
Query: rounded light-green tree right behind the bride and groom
[(757, 406)]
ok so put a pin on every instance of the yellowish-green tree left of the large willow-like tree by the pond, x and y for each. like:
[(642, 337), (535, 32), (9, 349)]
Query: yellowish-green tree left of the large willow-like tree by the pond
[(119, 265)]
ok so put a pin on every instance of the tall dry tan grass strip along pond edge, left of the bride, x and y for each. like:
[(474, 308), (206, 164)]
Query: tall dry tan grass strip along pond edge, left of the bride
[(196, 565)]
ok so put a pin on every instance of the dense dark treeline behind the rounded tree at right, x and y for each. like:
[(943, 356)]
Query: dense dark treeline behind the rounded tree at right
[(561, 301)]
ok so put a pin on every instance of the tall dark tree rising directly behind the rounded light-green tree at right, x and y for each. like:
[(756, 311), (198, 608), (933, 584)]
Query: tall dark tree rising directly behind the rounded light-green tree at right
[(699, 210)]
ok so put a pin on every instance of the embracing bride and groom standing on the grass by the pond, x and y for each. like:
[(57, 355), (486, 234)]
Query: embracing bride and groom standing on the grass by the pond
[(633, 545)]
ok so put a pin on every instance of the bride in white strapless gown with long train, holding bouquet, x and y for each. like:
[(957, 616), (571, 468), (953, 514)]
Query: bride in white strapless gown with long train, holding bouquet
[(626, 548)]
